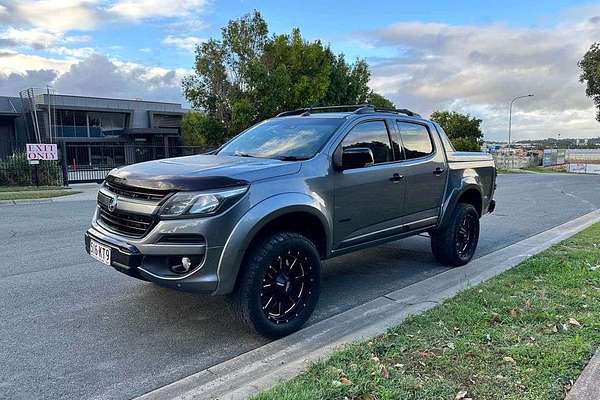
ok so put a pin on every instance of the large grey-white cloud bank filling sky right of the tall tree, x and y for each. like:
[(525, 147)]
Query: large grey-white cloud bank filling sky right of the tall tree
[(479, 69)]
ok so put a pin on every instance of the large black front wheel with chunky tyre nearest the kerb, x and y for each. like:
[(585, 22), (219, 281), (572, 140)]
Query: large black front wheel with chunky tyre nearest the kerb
[(279, 284)]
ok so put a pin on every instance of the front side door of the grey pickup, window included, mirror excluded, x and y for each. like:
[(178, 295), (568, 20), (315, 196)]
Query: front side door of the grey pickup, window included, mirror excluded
[(368, 201)]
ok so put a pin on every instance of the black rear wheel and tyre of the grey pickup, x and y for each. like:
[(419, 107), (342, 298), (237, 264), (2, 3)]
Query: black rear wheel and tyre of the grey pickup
[(455, 244)]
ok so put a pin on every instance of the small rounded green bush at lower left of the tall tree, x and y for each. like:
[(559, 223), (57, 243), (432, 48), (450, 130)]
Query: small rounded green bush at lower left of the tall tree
[(199, 129)]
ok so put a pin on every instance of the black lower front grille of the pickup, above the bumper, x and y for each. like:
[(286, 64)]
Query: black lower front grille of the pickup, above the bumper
[(130, 224)]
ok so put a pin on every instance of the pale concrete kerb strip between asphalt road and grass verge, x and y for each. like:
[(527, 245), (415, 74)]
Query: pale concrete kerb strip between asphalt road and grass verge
[(259, 369)]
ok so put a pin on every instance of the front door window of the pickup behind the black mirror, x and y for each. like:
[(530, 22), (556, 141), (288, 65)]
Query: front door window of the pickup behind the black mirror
[(372, 134)]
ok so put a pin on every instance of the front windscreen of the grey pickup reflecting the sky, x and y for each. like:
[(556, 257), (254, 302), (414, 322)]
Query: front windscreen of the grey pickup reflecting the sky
[(283, 138)]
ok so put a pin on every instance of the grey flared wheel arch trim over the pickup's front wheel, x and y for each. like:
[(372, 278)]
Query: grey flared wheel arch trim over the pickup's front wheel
[(253, 221)]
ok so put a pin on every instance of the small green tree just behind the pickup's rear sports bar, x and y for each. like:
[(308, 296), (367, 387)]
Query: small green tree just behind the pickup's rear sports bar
[(463, 130)]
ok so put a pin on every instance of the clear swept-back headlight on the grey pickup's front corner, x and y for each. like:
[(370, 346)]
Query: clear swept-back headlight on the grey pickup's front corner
[(201, 203)]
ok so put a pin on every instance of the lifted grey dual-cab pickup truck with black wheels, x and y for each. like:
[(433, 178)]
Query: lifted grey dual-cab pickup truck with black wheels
[(255, 218)]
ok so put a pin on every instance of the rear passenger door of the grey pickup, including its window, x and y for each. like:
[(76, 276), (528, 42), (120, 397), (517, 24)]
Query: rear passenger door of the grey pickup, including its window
[(424, 169)]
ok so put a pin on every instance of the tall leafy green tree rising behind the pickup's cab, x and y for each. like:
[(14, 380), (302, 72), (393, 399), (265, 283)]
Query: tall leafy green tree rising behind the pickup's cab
[(248, 76)]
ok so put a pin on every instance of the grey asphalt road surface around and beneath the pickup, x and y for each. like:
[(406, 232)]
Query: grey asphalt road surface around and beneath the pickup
[(72, 328)]
